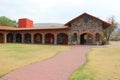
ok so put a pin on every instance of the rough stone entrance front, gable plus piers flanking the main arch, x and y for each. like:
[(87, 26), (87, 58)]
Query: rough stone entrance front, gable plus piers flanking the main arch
[(86, 24)]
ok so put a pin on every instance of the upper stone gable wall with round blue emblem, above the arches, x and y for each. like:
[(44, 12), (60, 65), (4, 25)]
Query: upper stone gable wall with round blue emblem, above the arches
[(91, 24)]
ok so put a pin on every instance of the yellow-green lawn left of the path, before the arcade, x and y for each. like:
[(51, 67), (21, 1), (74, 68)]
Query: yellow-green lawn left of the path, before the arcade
[(14, 56)]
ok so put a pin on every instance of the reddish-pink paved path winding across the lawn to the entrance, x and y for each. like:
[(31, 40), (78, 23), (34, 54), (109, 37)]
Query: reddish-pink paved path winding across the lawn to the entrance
[(58, 68)]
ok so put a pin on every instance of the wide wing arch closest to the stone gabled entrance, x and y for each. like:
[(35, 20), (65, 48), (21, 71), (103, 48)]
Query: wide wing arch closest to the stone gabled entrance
[(62, 38)]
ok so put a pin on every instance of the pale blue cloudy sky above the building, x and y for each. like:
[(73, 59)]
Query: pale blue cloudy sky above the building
[(58, 11)]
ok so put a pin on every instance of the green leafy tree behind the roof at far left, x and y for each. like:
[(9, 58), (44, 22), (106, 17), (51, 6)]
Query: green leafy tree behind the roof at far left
[(4, 21)]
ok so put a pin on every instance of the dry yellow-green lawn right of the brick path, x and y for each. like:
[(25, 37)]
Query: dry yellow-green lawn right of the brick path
[(103, 64)]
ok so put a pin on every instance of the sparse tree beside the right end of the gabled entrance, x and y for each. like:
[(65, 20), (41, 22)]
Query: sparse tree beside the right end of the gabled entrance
[(108, 31)]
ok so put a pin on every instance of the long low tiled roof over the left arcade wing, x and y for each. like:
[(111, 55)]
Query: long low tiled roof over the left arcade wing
[(34, 28)]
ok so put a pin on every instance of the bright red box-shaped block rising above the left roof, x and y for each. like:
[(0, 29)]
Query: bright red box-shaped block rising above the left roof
[(25, 23)]
